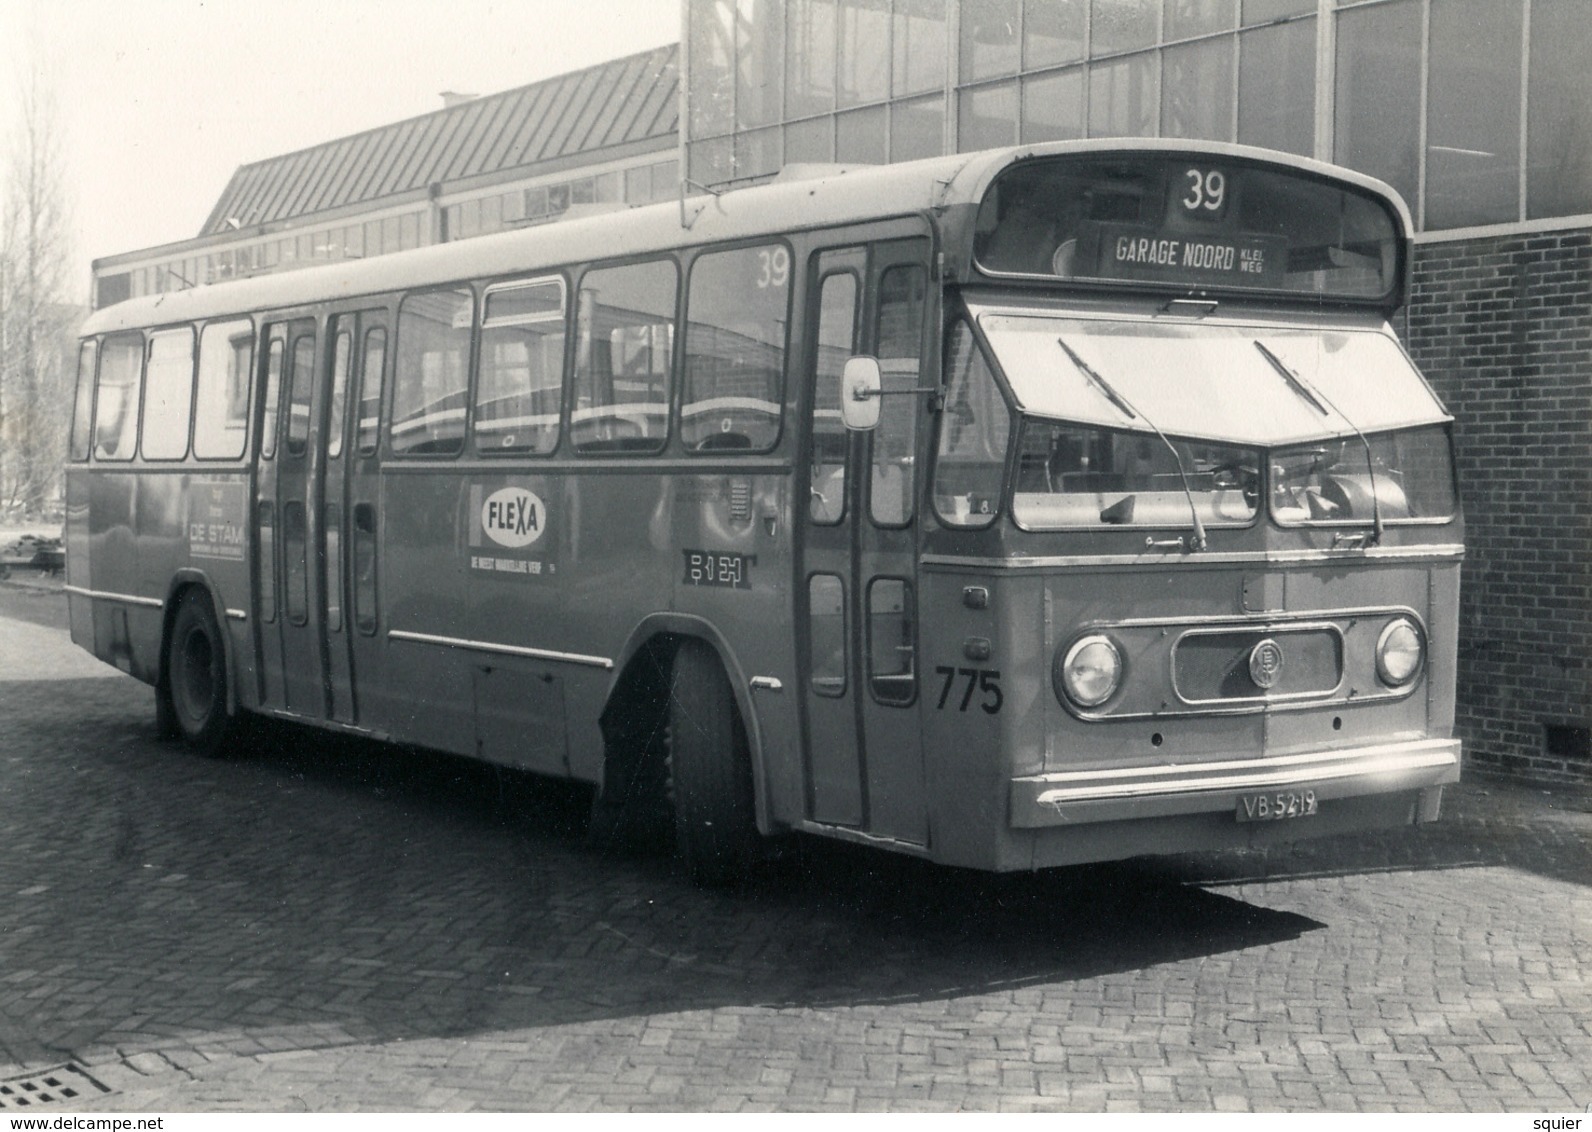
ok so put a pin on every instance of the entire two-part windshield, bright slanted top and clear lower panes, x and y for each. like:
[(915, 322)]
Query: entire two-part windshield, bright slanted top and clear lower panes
[(1157, 424)]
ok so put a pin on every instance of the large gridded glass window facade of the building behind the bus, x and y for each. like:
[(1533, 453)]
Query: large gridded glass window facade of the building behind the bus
[(1426, 95)]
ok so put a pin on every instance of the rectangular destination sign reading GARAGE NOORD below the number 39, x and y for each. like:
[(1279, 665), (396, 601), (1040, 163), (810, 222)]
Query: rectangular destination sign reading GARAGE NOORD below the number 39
[(1131, 252)]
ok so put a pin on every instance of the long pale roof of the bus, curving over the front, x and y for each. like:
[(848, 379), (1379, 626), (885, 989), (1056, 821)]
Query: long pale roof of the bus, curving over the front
[(833, 197)]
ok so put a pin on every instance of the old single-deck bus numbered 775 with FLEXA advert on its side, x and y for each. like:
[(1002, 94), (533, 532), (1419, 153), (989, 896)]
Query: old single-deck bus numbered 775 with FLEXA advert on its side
[(1012, 510)]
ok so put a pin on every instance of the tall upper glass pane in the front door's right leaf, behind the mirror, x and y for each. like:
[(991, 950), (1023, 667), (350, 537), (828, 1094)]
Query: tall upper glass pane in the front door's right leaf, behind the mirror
[(902, 295)]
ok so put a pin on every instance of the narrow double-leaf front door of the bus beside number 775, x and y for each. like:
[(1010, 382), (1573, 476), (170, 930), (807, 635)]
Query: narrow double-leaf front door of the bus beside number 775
[(860, 660)]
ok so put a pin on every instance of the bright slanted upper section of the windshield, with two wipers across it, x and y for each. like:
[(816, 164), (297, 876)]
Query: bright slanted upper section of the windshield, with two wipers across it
[(1209, 380)]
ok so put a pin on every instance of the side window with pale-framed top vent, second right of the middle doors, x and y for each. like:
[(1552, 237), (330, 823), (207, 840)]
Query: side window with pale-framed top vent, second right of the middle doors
[(521, 384)]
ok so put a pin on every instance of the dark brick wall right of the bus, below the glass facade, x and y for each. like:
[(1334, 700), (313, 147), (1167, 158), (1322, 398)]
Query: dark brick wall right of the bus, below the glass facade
[(1502, 327)]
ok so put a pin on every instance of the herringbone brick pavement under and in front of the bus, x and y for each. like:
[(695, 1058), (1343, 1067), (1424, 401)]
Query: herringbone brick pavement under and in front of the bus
[(334, 926)]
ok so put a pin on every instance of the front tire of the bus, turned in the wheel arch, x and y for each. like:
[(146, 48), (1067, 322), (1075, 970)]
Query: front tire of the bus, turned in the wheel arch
[(716, 814)]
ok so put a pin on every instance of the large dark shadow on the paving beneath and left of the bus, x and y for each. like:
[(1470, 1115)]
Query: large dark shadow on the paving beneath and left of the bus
[(316, 881)]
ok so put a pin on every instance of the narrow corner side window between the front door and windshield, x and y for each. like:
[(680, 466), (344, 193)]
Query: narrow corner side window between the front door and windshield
[(975, 431)]
